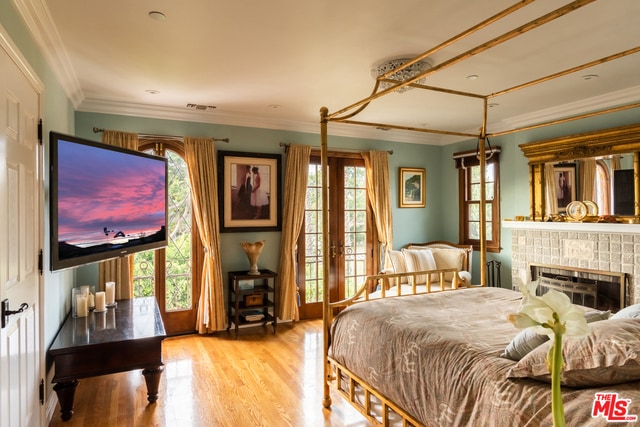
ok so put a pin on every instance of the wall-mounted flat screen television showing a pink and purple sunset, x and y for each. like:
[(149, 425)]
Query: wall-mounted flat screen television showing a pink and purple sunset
[(105, 201)]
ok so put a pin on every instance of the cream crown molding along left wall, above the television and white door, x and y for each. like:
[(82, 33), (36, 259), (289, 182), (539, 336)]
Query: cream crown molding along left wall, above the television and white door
[(38, 20)]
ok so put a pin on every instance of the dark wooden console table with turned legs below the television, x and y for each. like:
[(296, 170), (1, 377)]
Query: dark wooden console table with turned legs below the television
[(126, 337)]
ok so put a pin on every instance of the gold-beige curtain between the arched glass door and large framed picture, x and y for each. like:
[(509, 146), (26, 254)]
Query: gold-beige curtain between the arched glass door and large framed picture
[(200, 159)]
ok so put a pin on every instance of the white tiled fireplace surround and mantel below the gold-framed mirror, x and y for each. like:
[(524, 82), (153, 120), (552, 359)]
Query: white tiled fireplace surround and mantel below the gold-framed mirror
[(592, 246)]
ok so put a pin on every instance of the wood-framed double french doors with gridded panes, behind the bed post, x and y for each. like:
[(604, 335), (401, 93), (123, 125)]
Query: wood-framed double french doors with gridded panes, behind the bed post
[(351, 234)]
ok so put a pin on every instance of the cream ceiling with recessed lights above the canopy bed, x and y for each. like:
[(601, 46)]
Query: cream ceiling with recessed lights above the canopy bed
[(275, 64)]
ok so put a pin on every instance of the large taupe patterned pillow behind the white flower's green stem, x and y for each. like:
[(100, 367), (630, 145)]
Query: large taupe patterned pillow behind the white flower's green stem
[(608, 355)]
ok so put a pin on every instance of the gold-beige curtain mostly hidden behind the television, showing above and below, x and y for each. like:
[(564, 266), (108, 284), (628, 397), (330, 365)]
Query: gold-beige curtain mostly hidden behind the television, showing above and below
[(119, 270)]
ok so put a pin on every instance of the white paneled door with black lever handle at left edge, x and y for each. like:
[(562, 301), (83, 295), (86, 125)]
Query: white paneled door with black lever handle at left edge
[(20, 241)]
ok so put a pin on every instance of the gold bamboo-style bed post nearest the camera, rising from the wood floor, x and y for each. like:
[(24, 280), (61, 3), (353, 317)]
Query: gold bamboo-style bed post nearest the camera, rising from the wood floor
[(326, 313)]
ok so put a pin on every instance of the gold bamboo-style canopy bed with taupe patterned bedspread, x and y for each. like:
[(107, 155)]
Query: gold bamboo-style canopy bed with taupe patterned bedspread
[(368, 385)]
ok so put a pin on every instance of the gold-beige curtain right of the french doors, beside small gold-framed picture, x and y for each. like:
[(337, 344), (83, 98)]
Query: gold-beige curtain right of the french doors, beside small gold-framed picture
[(377, 166)]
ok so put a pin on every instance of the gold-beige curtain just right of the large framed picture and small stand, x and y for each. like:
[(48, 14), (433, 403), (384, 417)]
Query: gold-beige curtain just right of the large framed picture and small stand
[(295, 183)]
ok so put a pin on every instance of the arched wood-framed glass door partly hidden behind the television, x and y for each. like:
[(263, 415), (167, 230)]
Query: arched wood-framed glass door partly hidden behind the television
[(173, 273)]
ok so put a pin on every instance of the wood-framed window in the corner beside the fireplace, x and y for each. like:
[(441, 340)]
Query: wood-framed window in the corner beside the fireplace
[(469, 195)]
